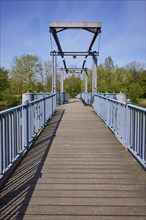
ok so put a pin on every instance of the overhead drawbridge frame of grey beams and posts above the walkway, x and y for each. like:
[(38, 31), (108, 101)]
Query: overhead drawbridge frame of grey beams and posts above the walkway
[(93, 27)]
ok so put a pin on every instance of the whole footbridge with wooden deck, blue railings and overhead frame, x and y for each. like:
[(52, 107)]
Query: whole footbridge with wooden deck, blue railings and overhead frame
[(84, 159)]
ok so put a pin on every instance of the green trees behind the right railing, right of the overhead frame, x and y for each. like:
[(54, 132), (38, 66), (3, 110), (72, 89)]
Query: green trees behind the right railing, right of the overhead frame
[(130, 80)]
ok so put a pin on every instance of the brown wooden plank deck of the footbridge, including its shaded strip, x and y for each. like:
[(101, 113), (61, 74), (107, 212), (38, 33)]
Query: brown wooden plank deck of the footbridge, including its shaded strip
[(76, 170)]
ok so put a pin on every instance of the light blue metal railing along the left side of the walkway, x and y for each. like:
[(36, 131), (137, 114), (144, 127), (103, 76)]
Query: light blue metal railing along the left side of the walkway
[(20, 125)]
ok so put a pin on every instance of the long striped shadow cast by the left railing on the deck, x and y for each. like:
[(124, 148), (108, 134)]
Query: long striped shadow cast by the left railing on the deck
[(16, 194)]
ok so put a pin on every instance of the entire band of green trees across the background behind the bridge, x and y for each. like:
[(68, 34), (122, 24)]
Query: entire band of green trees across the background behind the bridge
[(28, 73)]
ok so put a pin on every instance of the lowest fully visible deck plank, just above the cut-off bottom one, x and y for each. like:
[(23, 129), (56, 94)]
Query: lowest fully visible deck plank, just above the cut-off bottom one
[(84, 210)]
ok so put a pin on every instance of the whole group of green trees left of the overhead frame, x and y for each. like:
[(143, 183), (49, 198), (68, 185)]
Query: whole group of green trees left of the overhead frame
[(27, 74)]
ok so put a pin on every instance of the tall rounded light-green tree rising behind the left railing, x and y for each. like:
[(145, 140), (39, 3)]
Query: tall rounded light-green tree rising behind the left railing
[(25, 73)]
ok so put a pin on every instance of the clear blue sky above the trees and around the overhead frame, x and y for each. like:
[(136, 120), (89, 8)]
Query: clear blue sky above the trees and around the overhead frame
[(25, 29)]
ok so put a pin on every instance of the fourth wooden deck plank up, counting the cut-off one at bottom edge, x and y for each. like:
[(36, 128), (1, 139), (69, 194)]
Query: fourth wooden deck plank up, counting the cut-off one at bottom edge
[(75, 194)]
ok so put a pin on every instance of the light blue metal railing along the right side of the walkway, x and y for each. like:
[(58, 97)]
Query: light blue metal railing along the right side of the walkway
[(127, 121)]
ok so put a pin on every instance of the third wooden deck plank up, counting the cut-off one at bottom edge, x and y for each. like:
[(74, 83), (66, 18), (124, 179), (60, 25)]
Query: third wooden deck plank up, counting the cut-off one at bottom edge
[(50, 201)]
